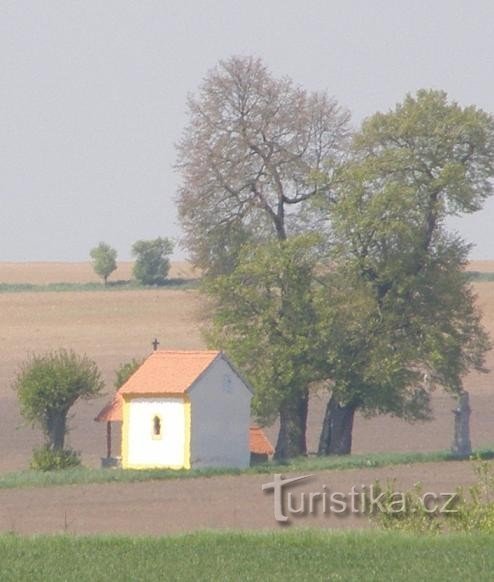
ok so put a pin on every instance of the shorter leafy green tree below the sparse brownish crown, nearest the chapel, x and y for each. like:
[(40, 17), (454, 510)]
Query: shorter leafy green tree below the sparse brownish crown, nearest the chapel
[(266, 317)]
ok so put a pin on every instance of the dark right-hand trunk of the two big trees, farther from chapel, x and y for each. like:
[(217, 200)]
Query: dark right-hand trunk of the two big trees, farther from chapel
[(336, 434)]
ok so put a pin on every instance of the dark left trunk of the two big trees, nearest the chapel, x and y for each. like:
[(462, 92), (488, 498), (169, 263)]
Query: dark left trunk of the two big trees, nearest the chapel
[(293, 425)]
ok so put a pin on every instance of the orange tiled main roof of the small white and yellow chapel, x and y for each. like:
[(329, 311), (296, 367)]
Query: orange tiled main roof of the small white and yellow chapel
[(168, 372)]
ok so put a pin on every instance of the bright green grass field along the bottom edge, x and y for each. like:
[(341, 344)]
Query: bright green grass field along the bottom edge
[(301, 555)]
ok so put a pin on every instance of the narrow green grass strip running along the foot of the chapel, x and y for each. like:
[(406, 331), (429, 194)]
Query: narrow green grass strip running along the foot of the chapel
[(82, 475)]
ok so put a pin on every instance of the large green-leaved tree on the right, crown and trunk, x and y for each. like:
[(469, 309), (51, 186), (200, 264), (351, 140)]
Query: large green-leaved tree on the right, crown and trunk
[(405, 320)]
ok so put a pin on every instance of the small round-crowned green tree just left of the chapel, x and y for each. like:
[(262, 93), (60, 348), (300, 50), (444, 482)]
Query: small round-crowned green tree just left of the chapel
[(49, 385)]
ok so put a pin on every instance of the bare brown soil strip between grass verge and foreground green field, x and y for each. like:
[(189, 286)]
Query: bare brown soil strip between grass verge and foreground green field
[(184, 505)]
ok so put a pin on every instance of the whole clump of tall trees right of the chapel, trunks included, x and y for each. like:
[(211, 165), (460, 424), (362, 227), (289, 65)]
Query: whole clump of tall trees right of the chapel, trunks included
[(379, 306)]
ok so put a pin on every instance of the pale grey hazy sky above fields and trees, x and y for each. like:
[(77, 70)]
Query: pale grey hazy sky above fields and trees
[(92, 97)]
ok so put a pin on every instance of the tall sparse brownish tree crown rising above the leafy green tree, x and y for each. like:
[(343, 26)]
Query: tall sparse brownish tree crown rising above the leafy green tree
[(257, 155)]
